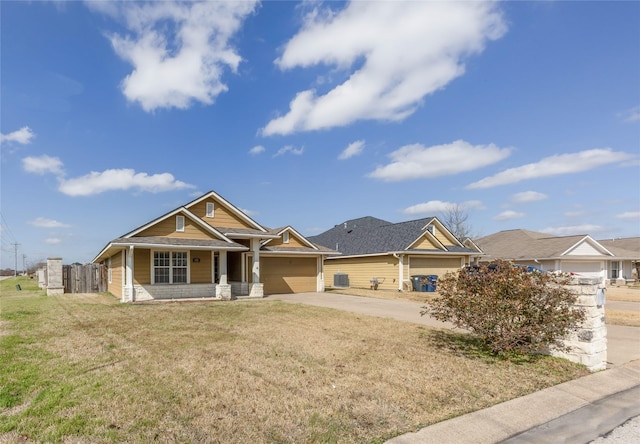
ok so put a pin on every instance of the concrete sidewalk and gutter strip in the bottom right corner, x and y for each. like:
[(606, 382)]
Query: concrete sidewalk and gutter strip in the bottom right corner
[(577, 411)]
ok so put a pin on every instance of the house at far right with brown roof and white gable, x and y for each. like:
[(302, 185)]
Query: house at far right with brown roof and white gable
[(579, 254)]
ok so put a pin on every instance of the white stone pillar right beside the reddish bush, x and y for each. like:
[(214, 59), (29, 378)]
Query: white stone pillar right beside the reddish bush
[(589, 342)]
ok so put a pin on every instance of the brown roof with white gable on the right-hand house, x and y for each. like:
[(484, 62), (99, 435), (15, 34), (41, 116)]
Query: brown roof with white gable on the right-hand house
[(525, 244)]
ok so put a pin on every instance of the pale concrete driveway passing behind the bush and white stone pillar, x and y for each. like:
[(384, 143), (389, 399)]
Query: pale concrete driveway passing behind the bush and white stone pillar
[(623, 342)]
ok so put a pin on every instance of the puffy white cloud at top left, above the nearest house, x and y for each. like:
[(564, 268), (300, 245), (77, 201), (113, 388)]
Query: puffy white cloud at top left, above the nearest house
[(178, 49)]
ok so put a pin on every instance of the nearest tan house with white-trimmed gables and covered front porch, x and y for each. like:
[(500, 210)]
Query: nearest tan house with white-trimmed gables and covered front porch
[(209, 248)]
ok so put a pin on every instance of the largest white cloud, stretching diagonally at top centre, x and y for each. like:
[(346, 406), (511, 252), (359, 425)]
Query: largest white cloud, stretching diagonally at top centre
[(393, 54)]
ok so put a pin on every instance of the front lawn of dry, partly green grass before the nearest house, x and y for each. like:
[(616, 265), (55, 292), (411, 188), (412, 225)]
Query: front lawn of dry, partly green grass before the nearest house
[(87, 368)]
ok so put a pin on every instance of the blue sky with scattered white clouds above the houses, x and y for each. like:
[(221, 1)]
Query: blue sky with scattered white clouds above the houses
[(526, 114)]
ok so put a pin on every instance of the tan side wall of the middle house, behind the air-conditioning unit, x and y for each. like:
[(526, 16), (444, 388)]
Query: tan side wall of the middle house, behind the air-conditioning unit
[(362, 270)]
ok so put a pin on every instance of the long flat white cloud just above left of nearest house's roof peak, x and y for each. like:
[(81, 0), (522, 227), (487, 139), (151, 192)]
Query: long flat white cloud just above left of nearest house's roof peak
[(120, 179)]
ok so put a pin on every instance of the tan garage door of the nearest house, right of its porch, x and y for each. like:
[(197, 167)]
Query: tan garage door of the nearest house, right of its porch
[(288, 274)]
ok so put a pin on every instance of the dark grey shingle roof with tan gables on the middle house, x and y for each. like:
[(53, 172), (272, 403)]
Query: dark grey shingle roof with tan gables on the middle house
[(369, 235)]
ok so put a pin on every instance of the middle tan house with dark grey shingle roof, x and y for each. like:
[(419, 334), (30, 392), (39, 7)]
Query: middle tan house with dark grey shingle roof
[(380, 254)]
